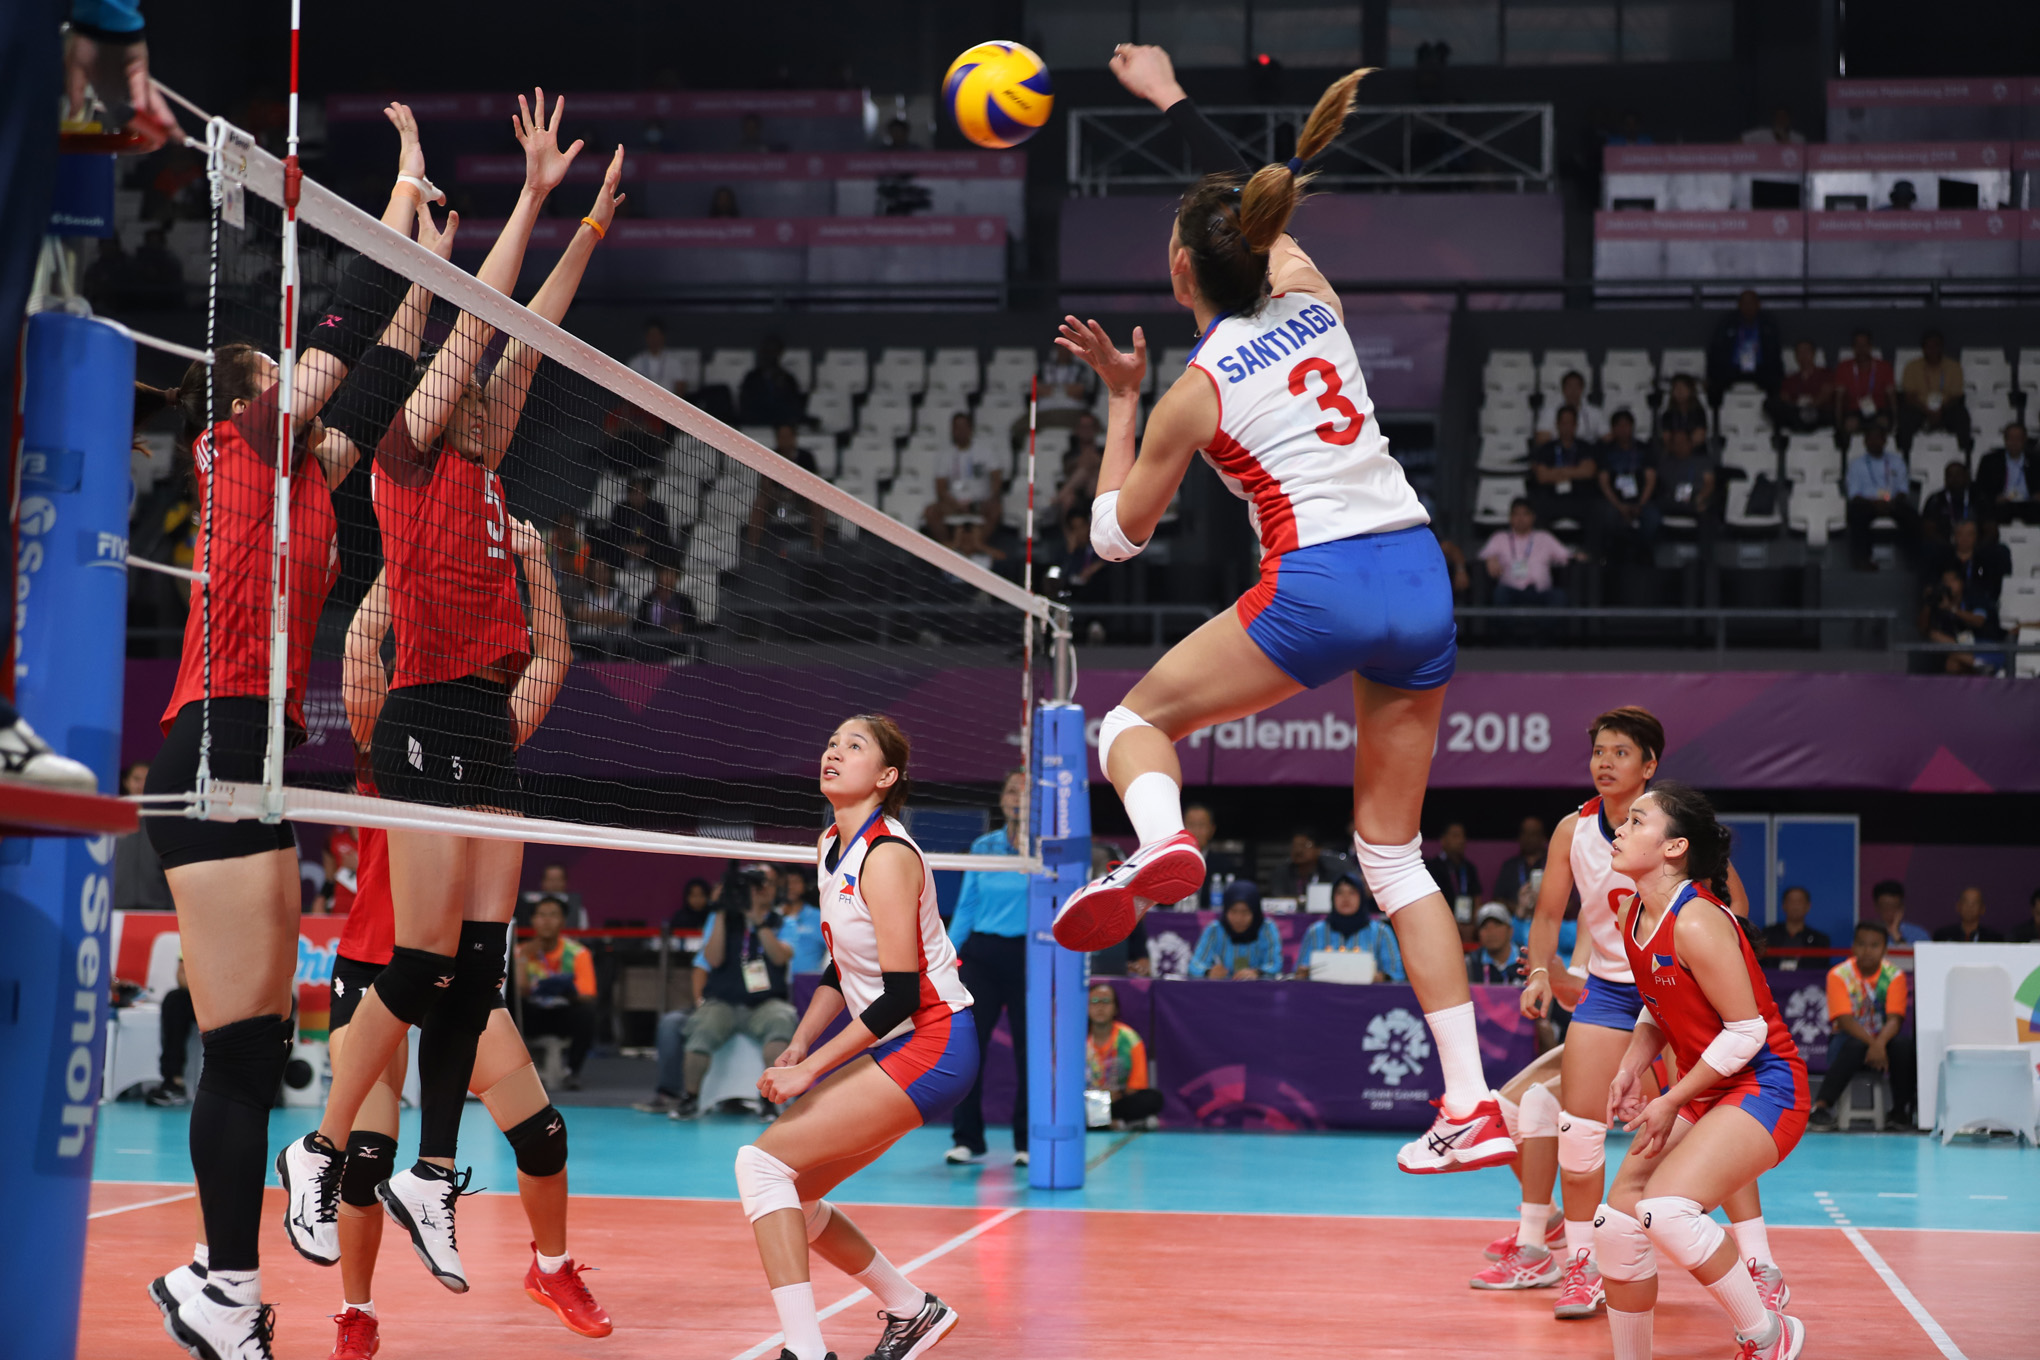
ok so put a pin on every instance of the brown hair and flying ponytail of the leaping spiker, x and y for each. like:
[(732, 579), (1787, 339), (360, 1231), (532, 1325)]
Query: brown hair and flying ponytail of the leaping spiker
[(1229, 225)]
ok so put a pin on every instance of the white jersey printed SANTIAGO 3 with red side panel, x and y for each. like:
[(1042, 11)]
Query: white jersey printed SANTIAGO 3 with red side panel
[(1296, 431)]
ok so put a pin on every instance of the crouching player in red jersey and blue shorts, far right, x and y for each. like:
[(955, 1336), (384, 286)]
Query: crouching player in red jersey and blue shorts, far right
[(1741, 1100)]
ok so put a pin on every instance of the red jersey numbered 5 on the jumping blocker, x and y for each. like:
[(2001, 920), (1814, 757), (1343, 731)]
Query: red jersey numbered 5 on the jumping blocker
[(448, 554)]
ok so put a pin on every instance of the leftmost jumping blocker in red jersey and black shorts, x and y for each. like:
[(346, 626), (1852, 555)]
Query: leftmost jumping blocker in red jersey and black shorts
[(236, 884)]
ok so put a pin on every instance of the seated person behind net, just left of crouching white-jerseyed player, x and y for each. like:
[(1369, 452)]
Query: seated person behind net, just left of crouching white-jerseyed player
[(746, 984)]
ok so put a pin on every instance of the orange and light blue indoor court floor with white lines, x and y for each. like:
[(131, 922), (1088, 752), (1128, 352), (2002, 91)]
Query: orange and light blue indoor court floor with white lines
[(1194, 1245)]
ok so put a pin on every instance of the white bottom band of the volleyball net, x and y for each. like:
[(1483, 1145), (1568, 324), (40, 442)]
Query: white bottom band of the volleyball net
[(329, 808)]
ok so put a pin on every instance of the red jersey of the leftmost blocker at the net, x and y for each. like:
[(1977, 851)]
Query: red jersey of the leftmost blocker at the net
[(236, 470)]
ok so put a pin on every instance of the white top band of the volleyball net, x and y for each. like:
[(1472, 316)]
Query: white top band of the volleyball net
[(352, 227)]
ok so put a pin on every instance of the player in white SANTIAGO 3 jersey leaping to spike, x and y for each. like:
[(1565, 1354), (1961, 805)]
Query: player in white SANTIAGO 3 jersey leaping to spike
[(1351, 582)]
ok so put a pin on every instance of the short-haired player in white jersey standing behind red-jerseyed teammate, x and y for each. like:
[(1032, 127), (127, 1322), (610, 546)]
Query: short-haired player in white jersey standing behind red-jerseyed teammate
[(1625, 747)]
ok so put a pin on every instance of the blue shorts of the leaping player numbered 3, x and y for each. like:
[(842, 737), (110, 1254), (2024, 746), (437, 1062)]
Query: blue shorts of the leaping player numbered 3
[(1380, 605)]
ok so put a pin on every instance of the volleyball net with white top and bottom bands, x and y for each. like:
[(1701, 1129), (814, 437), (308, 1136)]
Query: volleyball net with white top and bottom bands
[(699, 605)]
